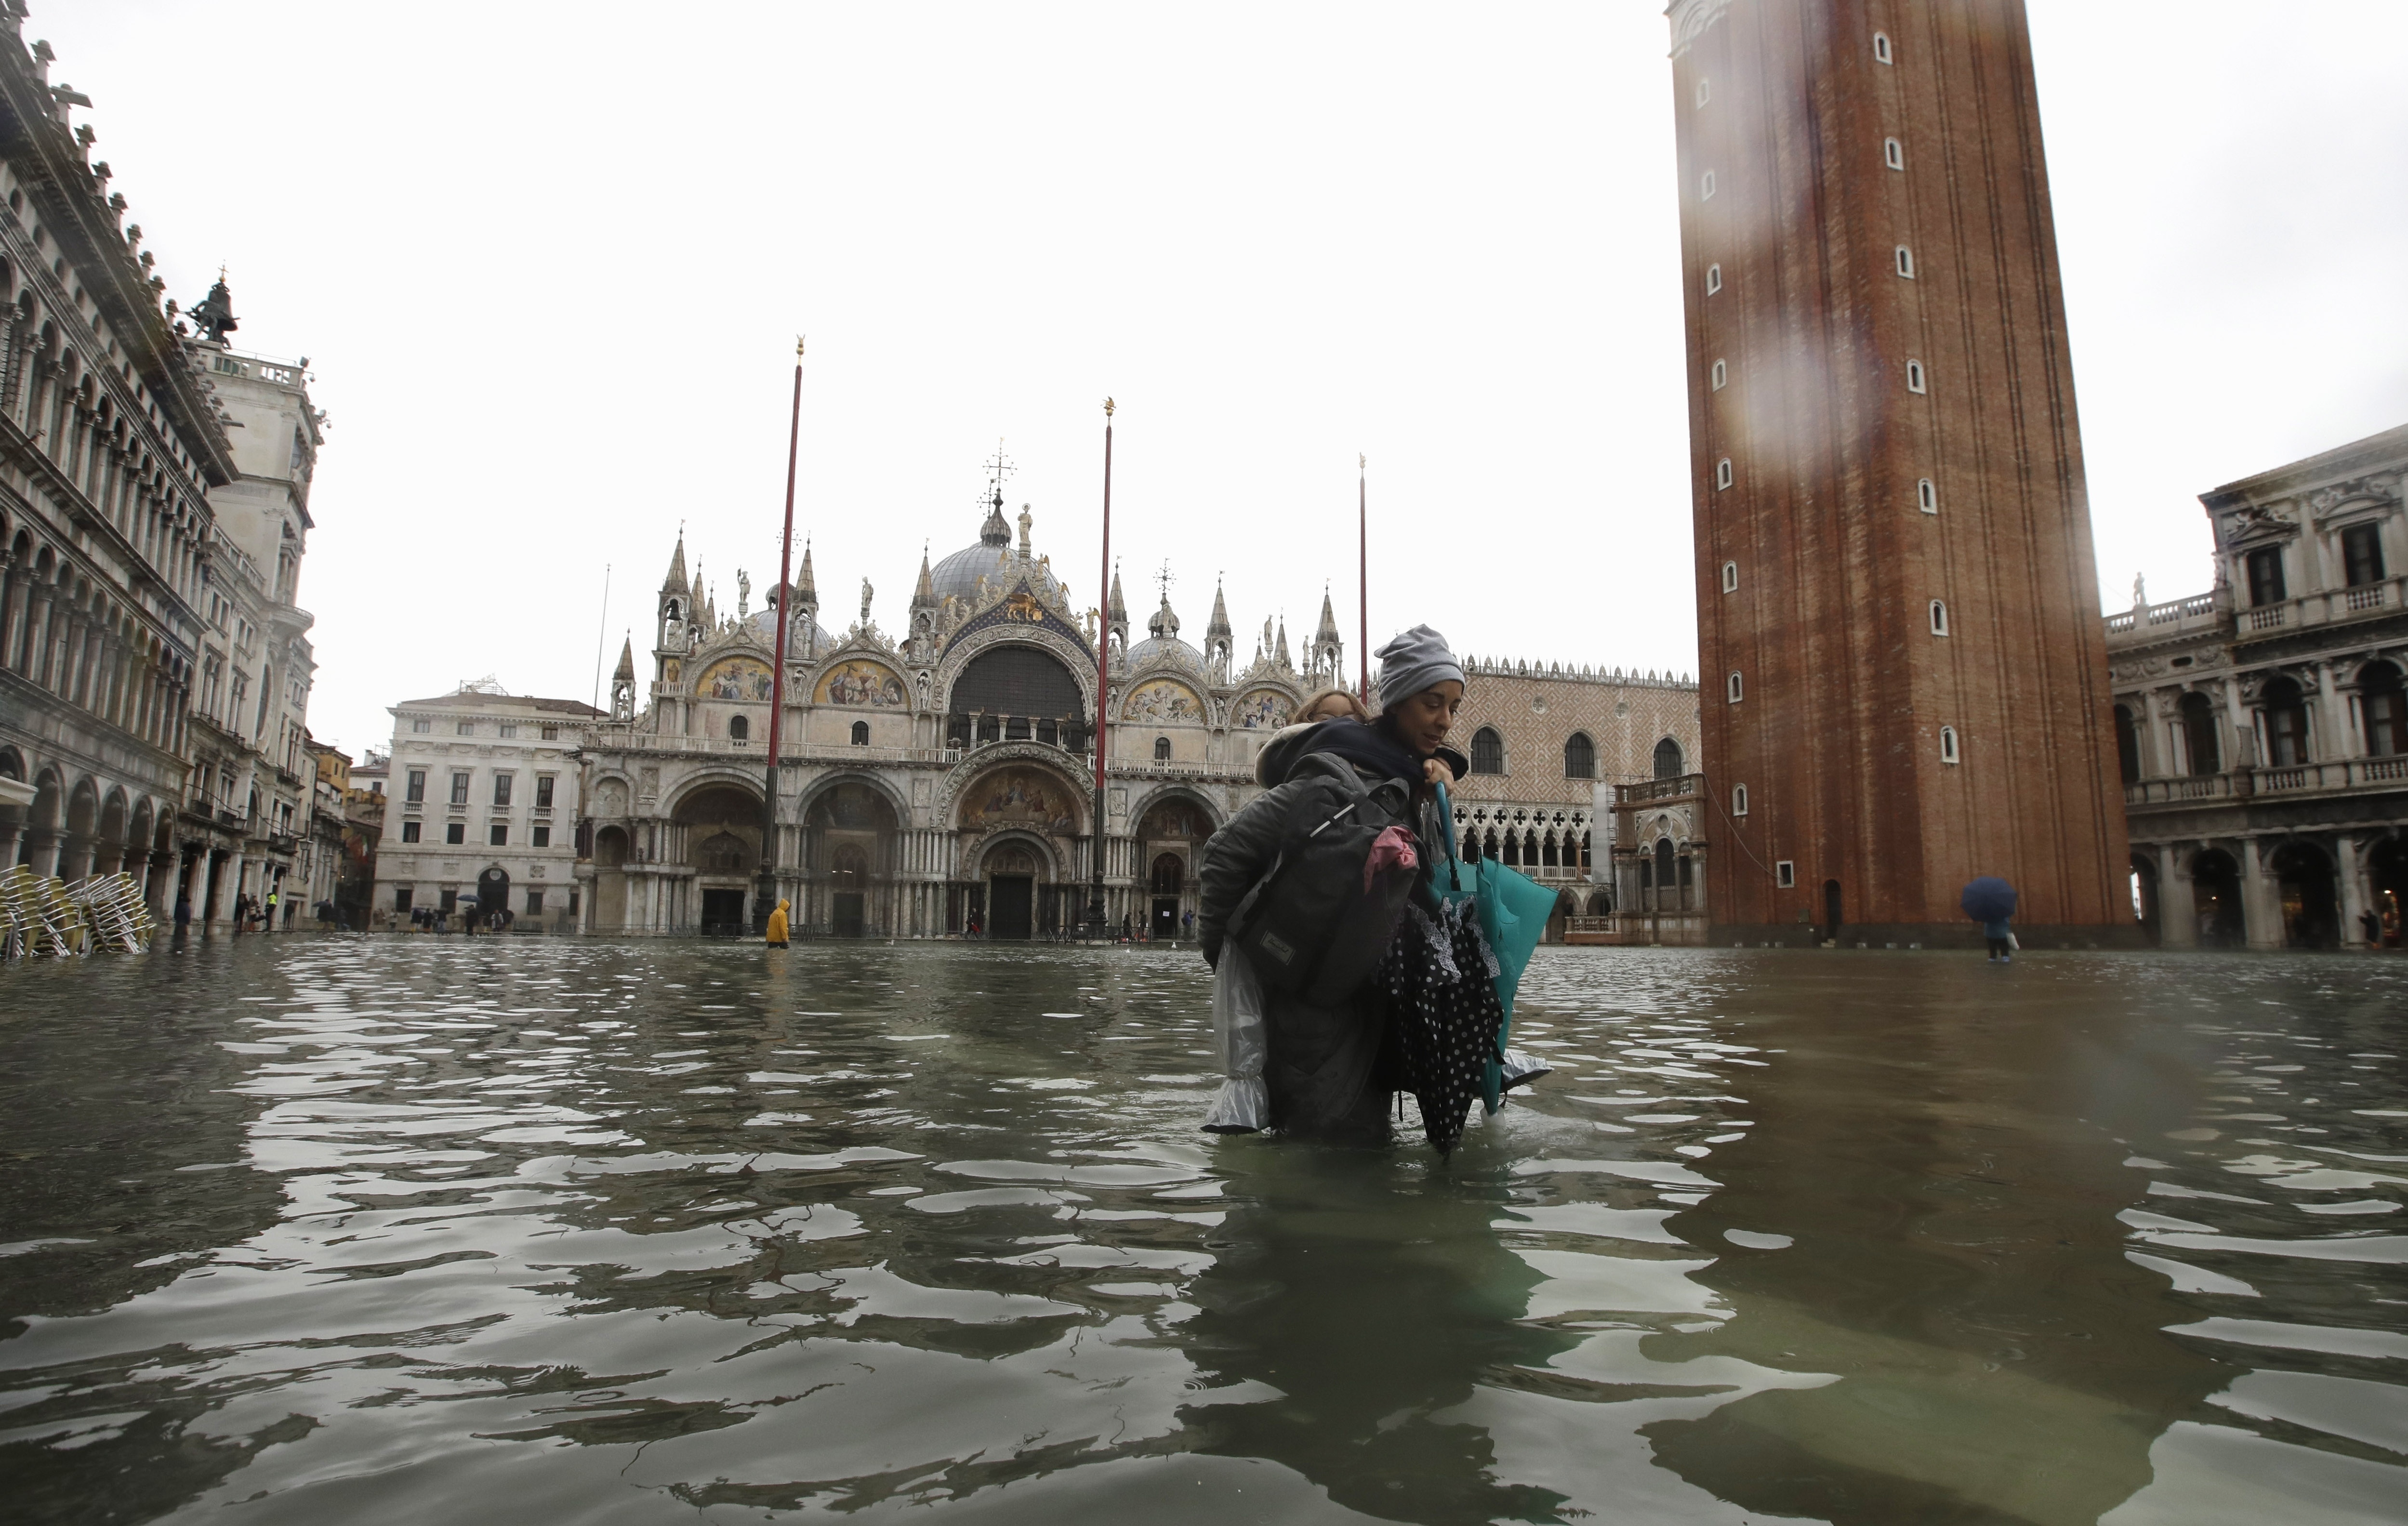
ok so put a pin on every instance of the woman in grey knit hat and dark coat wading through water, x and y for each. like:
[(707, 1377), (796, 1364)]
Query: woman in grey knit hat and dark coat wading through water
[(1330, 1070)]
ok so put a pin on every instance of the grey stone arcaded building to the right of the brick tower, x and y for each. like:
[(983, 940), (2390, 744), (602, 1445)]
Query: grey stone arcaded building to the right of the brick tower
[(2262, 726)]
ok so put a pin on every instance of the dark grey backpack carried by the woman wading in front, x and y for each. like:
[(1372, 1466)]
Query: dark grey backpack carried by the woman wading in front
[(1309, 925)]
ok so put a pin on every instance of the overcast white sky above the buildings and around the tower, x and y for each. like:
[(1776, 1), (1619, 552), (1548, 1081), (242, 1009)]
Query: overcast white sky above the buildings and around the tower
[(548, 264)]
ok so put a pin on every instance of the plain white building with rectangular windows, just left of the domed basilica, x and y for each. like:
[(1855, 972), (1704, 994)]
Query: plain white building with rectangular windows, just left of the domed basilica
[(483, 783)]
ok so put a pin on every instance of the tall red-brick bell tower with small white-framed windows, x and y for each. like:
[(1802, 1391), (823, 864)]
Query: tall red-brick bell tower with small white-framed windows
[(1904, 675)]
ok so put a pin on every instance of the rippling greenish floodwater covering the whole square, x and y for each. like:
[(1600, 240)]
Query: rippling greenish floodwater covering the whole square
[(526, 1231)]
